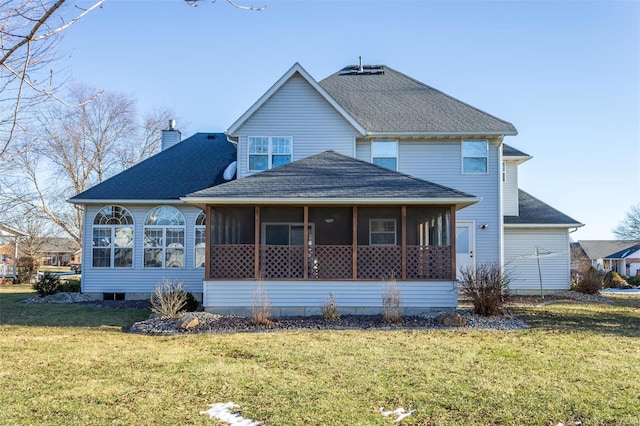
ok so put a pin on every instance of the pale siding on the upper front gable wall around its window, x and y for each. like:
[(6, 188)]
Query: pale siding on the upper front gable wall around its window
[(298, 110)]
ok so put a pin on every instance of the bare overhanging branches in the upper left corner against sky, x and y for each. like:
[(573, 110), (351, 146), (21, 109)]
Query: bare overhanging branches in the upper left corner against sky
[(29, 32)]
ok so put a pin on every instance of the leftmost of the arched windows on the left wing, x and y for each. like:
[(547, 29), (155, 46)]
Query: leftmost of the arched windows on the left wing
[(112, 238)]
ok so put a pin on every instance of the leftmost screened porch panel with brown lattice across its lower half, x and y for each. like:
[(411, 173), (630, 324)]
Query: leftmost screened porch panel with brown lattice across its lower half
[(232, 243)]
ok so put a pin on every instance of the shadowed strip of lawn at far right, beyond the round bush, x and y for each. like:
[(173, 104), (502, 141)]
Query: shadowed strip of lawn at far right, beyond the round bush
[(621, 318)]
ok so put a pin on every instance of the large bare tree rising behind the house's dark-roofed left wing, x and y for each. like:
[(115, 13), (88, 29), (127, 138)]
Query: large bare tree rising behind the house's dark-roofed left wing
[(74, 149)]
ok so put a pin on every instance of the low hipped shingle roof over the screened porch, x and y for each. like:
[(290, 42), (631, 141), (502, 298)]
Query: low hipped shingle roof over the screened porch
[(330, 178)]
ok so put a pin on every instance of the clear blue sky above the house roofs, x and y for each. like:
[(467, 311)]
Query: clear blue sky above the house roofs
[(565, 73)]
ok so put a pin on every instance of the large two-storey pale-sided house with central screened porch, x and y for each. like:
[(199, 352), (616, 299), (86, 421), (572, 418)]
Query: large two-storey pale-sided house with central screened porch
[(342, 185)]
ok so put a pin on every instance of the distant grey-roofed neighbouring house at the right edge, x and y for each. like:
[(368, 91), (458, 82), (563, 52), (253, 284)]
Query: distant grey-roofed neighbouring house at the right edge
[(613, 255)]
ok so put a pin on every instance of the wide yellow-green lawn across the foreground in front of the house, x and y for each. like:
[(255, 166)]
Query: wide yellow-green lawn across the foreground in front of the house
[(72, 365)]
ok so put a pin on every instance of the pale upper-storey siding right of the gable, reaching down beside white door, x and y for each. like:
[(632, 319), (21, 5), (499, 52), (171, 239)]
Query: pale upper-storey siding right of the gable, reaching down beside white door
[(440, 161)]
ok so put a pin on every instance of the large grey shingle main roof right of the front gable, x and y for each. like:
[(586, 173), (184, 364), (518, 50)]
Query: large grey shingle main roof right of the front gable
[(391, 102)]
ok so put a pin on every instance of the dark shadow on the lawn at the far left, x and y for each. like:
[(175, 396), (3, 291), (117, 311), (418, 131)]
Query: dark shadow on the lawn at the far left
[(13, 312)]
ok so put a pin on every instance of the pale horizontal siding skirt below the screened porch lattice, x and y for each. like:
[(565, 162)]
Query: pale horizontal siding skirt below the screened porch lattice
[(310, 295)]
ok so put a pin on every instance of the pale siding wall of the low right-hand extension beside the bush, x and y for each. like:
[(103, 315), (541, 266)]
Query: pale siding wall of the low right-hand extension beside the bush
[(524, 271)]
